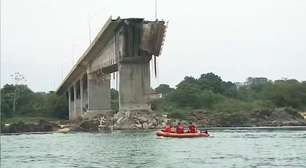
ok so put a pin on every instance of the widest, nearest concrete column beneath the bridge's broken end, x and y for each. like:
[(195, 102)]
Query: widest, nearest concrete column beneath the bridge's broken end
[(134, 87)]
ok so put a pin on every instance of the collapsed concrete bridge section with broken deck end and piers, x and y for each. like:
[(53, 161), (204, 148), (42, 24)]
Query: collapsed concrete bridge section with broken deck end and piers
[(124, 47)]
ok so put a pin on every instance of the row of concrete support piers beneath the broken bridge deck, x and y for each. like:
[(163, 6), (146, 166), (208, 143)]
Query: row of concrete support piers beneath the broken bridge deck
[(90, 95)]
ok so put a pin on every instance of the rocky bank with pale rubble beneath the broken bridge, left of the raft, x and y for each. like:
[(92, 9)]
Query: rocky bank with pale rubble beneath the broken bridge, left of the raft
[(127, 120)]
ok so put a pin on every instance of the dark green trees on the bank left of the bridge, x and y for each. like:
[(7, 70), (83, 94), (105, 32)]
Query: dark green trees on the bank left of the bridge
[(30, 104)]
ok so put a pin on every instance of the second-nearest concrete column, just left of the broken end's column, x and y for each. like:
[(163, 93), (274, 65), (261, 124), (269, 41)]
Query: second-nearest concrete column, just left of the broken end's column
[(98, 94)]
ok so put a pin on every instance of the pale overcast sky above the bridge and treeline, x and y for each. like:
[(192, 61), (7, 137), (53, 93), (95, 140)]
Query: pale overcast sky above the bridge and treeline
[(235, 39)]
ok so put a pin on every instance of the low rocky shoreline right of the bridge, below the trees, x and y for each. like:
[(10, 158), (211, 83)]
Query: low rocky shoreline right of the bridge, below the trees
[(265, 117)]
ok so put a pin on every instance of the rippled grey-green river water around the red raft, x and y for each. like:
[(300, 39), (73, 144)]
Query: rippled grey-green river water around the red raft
[(225, 148)]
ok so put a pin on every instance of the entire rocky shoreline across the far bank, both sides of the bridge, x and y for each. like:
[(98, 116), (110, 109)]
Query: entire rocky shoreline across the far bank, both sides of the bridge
[(138, 120)]
